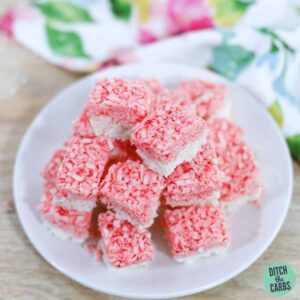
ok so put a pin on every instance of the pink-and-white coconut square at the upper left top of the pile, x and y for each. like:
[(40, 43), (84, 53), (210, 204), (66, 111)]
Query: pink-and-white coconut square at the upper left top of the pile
[(116, 105)]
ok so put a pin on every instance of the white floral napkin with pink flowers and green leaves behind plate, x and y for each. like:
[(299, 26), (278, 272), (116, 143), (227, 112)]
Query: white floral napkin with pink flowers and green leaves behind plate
[(255, 43)]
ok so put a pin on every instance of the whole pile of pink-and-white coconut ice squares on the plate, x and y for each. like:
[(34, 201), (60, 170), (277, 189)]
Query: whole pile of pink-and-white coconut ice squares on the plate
[(140, 150)]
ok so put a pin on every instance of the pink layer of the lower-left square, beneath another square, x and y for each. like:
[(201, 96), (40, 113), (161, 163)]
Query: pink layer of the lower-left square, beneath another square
[(74, 222)]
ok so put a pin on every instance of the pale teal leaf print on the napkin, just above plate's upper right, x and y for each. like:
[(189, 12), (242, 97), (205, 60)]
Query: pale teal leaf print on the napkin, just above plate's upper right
[(231, 60)]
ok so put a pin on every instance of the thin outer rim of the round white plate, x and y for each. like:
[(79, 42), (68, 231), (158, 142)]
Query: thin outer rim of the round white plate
[(186, 292)]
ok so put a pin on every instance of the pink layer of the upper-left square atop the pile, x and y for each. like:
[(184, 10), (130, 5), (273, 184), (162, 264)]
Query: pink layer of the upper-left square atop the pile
[(124, 101)]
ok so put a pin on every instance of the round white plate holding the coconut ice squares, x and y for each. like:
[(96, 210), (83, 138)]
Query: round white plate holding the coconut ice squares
[(252, 229)]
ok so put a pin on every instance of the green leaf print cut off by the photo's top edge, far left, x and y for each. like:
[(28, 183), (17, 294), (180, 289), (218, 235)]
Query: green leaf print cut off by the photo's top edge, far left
[(64, 12)]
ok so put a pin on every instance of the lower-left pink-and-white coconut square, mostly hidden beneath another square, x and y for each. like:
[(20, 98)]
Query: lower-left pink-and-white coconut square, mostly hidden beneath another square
[(66, 219)]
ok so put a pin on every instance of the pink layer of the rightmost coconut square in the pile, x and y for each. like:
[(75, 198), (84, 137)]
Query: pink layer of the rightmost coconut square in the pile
[(239, 174)]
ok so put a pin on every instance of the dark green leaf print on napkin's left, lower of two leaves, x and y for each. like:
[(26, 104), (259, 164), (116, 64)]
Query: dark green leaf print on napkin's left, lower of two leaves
[(65, 43)]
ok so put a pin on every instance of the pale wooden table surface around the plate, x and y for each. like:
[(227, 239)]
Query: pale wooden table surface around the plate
[(27, 83)]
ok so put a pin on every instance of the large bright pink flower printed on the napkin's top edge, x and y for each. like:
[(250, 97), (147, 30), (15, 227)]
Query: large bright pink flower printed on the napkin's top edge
[(186, 15)]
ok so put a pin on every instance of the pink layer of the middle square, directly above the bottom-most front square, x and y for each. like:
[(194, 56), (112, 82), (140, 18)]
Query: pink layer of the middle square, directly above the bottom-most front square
[(134, 189)]
